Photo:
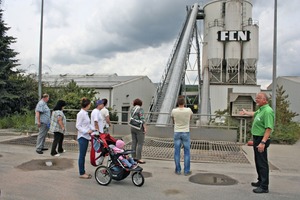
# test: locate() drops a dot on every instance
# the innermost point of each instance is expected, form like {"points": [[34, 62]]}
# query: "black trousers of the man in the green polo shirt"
{"points": [[261, 162]]}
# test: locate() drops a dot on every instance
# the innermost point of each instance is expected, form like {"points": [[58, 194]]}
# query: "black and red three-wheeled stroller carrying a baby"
{"points": [[116, 170]]}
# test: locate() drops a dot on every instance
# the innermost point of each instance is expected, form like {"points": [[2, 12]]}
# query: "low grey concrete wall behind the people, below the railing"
{"points": [[197, 133]]}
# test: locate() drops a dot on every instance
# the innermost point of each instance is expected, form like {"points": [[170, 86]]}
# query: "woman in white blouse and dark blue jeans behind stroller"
{"points": [[83, 125]]}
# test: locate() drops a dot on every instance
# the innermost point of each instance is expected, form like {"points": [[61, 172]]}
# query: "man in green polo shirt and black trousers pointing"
{"points": [[262, 126]]}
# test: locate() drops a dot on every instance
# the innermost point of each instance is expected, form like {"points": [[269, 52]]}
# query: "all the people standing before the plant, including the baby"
{"points": [[262, 127]]}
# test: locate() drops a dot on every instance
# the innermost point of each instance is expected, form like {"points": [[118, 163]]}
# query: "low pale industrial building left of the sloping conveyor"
{"points": [[119, 90]]}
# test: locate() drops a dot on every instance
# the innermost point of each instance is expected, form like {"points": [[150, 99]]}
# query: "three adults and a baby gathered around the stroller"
{"points": [[99, 121]]}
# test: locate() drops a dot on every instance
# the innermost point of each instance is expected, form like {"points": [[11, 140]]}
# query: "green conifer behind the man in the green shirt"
{"points": [[286, 131]]}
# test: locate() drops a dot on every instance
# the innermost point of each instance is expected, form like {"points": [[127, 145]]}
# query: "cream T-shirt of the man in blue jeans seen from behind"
{"points": [[182, 117]]}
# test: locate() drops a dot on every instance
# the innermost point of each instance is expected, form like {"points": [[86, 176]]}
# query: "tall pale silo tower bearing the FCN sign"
{"points": [[230, 52]]}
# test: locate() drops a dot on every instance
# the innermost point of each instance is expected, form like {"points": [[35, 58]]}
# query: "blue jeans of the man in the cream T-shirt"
{"points": [[182, 138]]}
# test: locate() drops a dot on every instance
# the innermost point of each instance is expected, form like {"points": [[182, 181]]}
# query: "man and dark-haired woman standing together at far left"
{"points": [[55, 123]]}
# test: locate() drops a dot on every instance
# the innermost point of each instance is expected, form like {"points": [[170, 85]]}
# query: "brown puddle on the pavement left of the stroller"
{"points": [[47, 164]]}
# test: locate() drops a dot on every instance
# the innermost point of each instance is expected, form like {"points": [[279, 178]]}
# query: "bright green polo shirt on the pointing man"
{"points": [[263, 119]]}
